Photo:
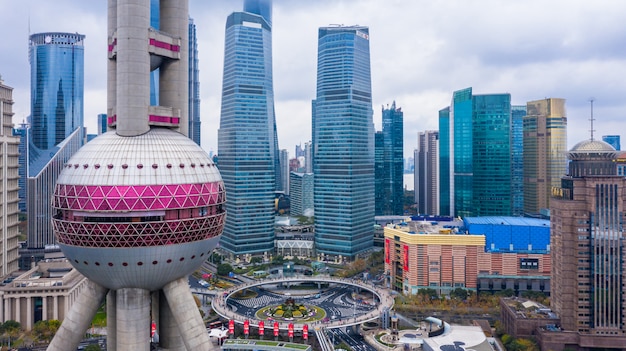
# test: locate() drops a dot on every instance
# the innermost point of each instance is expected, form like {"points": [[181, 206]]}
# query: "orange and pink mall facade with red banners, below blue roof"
{"points": [[418, 256]]}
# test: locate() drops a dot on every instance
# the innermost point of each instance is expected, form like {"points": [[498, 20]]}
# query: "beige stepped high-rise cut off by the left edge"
{"points": [[9, 144]]}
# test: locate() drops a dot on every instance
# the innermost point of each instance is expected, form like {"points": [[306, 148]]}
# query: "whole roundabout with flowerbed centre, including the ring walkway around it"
{"points": [[329, 303]]}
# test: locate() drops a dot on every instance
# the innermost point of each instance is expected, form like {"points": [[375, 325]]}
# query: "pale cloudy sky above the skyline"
{"points": [[421, 51]]}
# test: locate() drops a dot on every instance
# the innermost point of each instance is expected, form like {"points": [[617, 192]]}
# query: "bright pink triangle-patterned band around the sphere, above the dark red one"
{"points": [[137, 198]]}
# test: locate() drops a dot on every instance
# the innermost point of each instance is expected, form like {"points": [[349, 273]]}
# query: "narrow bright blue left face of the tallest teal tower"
{"points": [[462, 145]]}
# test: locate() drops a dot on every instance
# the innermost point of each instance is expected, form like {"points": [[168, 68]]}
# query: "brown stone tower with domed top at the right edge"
{"points": [[588, 253]]}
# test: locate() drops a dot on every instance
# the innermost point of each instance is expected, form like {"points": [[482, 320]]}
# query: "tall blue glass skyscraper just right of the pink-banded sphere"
{"points": [[247, 141]]}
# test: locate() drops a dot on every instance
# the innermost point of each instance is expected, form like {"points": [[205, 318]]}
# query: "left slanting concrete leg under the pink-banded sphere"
{"points": [[79, 318]]}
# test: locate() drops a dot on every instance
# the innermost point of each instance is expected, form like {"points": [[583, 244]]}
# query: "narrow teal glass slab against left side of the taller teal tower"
{"points": [[445, 165]]}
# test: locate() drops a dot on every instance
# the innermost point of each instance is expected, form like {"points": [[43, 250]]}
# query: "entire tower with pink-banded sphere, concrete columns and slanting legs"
{"points": [[139, 208]]}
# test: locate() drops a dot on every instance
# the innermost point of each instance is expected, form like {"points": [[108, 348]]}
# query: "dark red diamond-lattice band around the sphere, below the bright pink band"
{"points": [[115, 235]]}
